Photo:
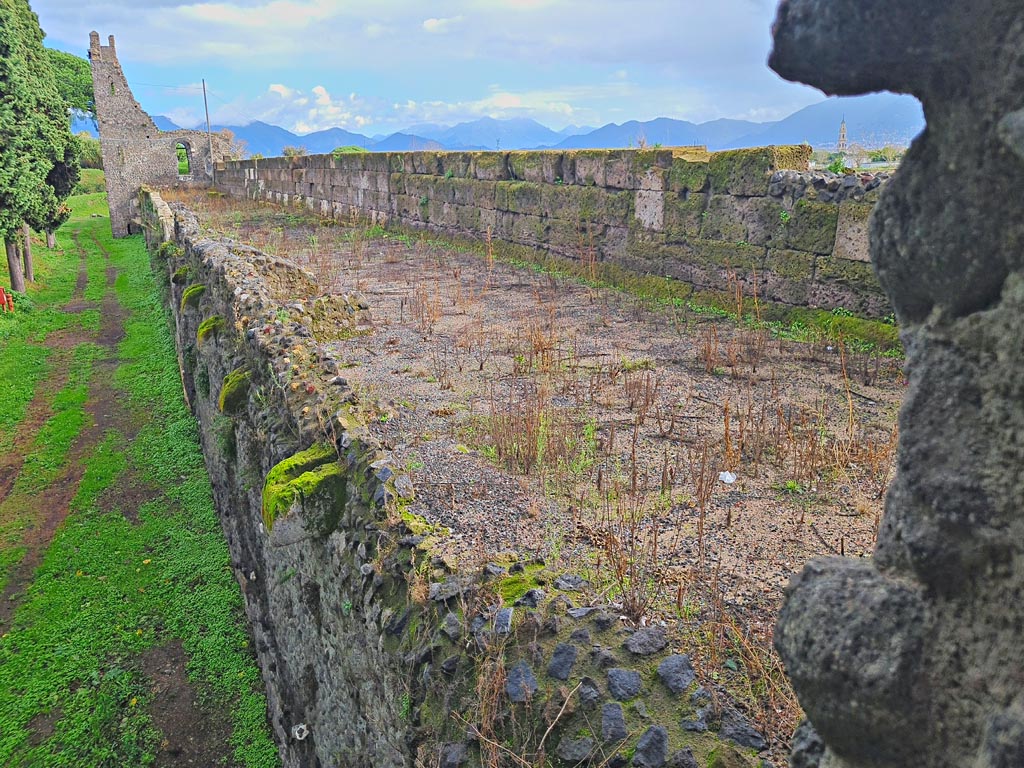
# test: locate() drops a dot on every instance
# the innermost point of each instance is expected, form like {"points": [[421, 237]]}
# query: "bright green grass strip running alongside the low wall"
{"points": [[109, 590]]}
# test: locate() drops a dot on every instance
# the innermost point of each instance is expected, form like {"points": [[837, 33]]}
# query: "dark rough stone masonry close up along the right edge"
{"points": [[915, 659]]}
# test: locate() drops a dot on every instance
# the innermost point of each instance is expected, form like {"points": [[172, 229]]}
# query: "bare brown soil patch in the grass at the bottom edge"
{"points": [[194, 734]]}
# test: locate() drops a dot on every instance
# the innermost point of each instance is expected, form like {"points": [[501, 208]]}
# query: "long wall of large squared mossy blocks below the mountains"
{"points": [[756, 217]]}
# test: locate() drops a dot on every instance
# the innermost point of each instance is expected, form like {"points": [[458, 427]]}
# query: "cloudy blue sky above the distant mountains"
{"points": [[381, 66]]}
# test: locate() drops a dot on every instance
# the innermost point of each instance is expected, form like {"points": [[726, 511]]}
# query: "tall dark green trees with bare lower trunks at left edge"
{"points": [[39, 156]]}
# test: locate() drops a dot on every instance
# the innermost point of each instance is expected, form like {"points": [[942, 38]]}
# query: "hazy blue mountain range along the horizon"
{"points": [[874, 120]]}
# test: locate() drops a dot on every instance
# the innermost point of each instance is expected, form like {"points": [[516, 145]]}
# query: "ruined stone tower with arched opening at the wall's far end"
{"points": [[136, 152]]}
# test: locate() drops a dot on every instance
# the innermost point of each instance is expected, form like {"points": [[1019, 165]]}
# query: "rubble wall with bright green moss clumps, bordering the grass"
{"points": [[374, 652]]}
